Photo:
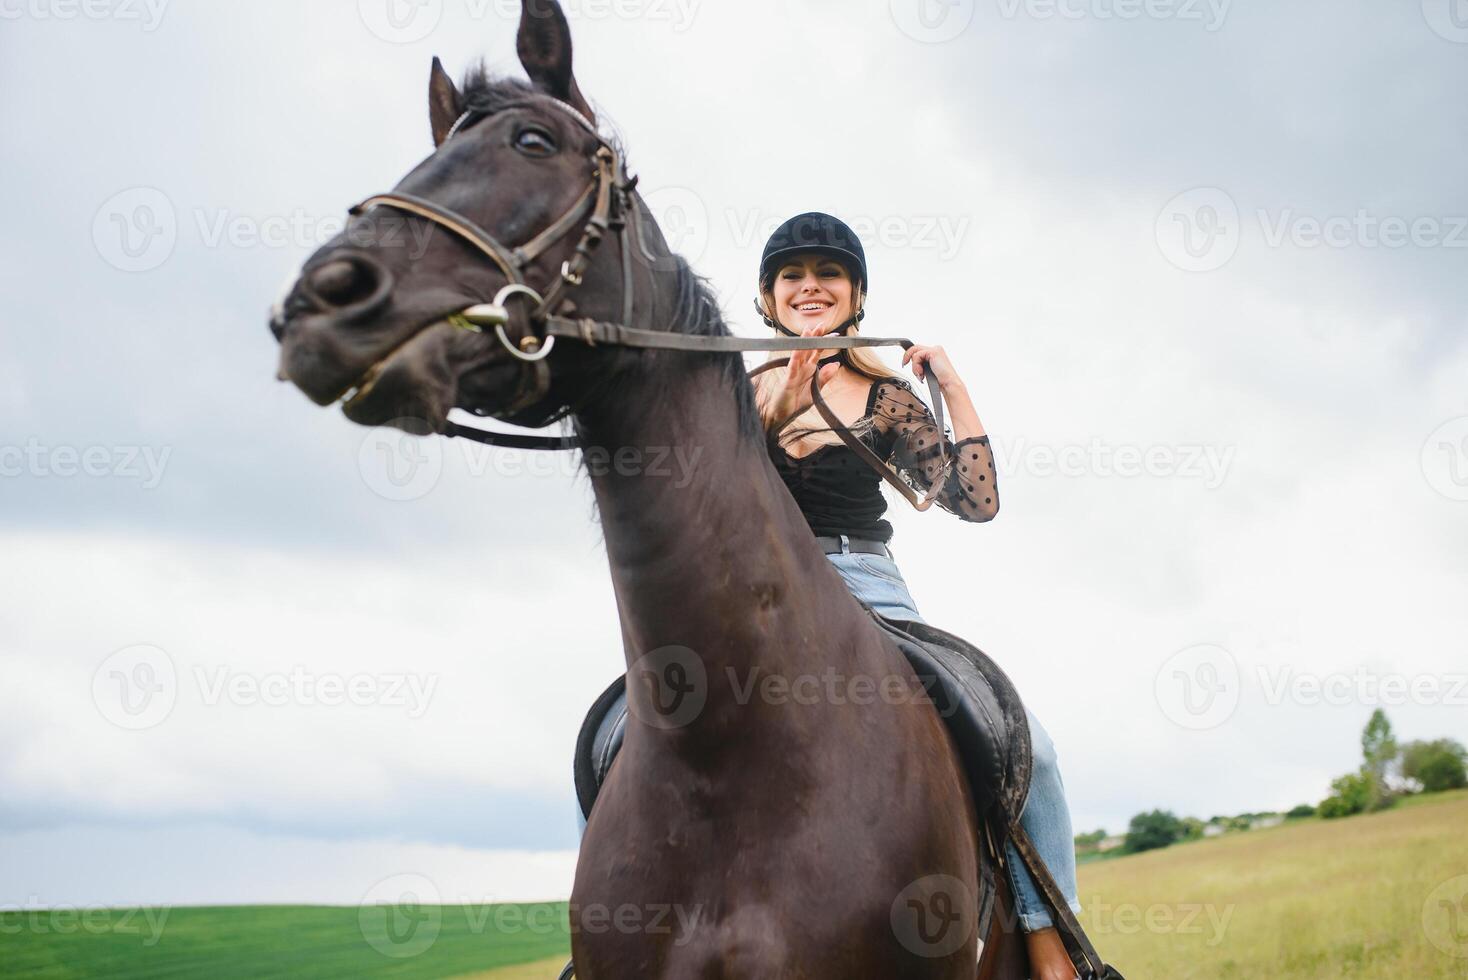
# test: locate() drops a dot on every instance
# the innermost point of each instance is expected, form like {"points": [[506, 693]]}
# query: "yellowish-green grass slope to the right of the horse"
{"points": [[1360, 897]]}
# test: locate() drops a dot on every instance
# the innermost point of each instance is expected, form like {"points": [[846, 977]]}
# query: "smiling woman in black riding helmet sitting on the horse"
{"points": [[814, 284]]}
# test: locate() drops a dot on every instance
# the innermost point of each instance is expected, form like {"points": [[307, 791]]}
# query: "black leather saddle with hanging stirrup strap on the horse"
{"points": [[987, 720]]}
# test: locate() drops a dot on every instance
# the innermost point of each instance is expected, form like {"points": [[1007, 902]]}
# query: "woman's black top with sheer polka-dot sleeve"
{"points": [[842, 495]]}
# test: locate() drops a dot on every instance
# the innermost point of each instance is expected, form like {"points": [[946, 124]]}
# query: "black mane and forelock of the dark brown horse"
{"points": [[695, 304]]}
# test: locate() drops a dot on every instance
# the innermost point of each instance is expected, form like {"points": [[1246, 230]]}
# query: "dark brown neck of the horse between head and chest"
{"points": [[708, 551]]}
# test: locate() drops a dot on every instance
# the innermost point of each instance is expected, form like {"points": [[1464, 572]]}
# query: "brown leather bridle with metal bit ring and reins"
{"points": [[610, 196]]}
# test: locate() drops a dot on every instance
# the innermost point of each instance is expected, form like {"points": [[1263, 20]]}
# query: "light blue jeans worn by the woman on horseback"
{"points": [[877, 582]]}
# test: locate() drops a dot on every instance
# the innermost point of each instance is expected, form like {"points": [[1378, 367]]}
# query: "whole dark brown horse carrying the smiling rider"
{"points": [[751, 831]]}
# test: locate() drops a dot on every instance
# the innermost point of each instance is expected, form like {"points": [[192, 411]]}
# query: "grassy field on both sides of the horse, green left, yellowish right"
{"points": [[1382, 896]]}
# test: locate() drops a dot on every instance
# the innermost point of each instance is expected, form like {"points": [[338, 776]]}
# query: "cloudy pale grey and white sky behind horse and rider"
{"points": [[1200, 263]]}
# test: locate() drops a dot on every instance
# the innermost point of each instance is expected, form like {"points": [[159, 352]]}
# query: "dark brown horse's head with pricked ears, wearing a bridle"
{"points": [[512, 206]]}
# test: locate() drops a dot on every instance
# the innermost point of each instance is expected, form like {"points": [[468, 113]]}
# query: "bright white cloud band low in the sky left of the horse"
{"points": [[453, 689]]}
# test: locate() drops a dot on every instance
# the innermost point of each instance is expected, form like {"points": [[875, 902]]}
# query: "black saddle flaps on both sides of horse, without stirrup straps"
{"points": [[971, 693]]}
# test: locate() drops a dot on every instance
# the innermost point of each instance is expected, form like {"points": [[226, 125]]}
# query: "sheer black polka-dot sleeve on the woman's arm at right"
{"points": [[905, 422]]}
